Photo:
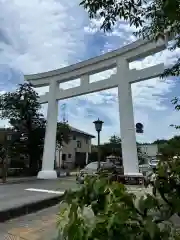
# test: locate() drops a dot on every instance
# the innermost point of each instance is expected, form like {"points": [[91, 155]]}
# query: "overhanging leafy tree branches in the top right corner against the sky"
{"points": [[154, 19]]}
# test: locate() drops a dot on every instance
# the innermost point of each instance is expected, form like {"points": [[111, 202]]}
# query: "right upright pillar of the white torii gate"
{"points": [[126, 116]]}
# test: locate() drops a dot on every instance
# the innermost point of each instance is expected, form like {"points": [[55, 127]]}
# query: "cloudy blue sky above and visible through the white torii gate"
{"points": [[37, 36]]}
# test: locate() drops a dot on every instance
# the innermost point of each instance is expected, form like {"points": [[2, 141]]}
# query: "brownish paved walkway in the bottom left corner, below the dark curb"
{"points": [[38, 226]]}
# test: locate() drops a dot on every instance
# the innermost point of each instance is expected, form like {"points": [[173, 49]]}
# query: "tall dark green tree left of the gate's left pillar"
{"points": [[21, 108]]}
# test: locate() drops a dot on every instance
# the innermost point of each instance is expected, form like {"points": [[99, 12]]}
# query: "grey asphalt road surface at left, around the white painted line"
{"points": [[12, 195]]}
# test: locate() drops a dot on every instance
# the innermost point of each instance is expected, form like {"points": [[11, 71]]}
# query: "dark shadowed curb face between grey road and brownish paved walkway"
{"points": [[29, 208]]}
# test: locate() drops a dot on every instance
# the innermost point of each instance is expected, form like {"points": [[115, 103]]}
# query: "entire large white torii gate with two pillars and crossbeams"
{"points": [[123, 79]]}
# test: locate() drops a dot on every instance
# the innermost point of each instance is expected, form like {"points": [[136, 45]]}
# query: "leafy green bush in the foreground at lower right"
{"points": [[103, 209]]}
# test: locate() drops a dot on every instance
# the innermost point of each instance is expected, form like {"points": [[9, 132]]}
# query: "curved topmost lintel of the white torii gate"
{"points": [[134, 51]]}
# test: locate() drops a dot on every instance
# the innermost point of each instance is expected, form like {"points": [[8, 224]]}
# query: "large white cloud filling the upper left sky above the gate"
{"points": [[43, 35]]}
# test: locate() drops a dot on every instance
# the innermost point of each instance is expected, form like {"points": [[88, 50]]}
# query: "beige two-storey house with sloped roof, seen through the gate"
{"points": [[75, 153]]}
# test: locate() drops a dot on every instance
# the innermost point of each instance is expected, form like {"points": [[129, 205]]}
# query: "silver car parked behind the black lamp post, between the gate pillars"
{"points": [[91, 169]]}
